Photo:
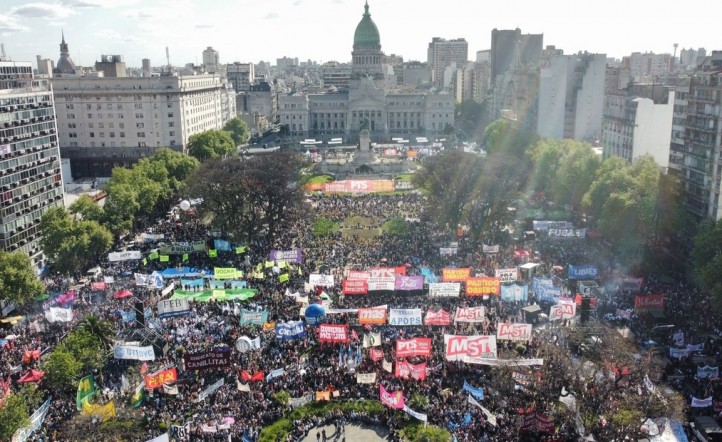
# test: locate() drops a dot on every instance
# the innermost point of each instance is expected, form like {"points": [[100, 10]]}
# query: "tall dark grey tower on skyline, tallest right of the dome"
{"points": [[509, 48]]}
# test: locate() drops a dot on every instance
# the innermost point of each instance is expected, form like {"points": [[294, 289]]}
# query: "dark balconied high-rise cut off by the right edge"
{"points": [[701, 171]]}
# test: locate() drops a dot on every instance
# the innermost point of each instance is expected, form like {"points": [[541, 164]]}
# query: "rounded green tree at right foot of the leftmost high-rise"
{"points": [[72, 245]]}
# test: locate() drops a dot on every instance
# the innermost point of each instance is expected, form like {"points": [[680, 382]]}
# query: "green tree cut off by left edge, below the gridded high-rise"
{"points": [[18, 281]]}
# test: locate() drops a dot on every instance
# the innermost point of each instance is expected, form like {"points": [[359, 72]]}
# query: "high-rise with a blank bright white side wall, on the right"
{"points": [[638, 121]]}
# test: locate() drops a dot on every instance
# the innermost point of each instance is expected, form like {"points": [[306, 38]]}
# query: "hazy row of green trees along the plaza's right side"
{"points": [[634, 205]]}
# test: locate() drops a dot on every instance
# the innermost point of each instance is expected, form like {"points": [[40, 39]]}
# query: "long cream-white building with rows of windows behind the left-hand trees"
{"points": [[108, 122]]}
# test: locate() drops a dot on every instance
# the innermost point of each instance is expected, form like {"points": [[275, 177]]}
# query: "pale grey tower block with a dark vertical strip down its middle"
{"points": [[571, 97]]}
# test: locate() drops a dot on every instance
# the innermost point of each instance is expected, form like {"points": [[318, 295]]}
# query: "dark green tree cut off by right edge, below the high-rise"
{"points": [[707, 259]]}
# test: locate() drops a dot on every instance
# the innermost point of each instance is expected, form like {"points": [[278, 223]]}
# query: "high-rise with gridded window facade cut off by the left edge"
{"points": [[30, 171]]}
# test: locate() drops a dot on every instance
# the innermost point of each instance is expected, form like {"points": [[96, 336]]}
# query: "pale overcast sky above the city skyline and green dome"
{"points": [[322, 30]]}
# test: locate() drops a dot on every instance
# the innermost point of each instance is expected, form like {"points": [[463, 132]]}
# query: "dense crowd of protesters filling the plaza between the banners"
{"points": [[240, 408]]}
